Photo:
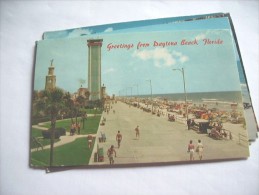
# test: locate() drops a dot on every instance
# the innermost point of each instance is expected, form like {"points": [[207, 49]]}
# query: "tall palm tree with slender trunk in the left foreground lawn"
{"points": [[52, 103]]}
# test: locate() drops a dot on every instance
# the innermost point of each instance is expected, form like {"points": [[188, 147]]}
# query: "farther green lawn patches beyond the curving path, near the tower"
{"points": [[91, 124]]}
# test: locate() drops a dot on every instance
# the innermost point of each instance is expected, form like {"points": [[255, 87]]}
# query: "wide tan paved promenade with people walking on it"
{"points": [[160, 140]]}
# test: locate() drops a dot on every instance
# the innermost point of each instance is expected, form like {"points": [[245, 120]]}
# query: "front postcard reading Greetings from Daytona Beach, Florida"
{"points": [[137, 99]]}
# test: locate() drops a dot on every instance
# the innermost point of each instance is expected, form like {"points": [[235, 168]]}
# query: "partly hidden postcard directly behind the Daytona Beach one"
{"points": [[197, 22]]}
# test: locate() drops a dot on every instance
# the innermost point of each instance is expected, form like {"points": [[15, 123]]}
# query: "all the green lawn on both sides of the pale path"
{"points": [[75, 153]]}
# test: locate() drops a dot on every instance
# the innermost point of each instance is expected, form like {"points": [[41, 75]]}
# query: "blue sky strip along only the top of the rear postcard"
{"points": [[159, 23]]}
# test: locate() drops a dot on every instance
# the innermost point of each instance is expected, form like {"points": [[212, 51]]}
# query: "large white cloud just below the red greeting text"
{"points": [[161, 57]]}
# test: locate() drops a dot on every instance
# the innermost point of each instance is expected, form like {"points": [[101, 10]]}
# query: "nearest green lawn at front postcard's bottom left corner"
{"points": [[75, 153]]}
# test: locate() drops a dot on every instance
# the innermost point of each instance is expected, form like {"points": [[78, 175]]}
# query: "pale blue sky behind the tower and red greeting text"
{"points": [[125, 71]]}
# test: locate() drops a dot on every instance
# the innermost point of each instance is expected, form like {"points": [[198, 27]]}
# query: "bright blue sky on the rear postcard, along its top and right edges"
{"points": [[162, 24]]}
